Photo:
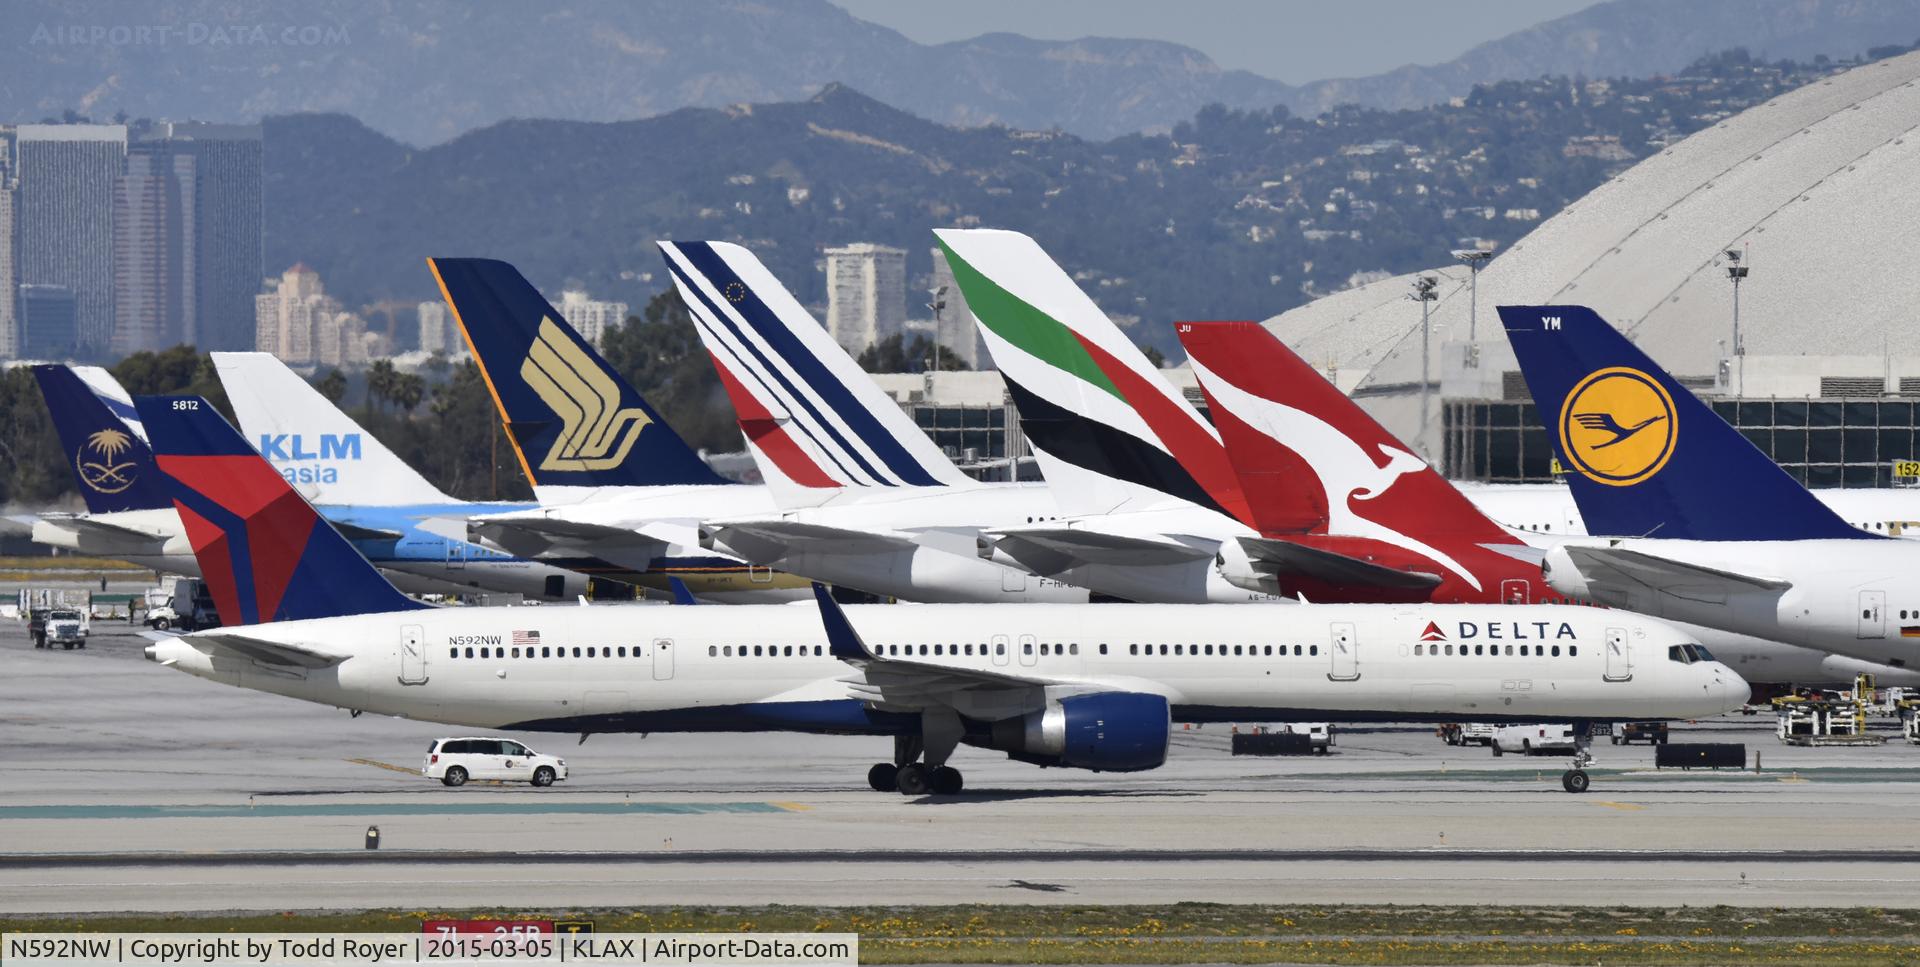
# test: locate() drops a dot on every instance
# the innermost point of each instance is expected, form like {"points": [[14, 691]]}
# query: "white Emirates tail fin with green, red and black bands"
{"points": [[1113, 435]]}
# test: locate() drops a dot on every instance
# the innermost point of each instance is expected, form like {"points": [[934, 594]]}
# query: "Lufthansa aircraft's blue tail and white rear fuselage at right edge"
{"points": [[1717, 534]]}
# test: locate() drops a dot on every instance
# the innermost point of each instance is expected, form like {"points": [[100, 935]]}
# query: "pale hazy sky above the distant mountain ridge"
{"points": [[1289, 41]]}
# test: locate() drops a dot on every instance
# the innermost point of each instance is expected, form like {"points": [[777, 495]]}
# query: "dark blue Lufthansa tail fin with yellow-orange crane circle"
{"points": [[1644, 456]]}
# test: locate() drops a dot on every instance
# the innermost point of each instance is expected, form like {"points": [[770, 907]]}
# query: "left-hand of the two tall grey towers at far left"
{"points": [[64, 218]]}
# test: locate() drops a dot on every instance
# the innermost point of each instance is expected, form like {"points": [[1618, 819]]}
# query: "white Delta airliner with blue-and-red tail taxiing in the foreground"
{"points": [[1078, 686]]}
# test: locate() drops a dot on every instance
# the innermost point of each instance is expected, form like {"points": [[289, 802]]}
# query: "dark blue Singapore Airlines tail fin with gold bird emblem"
{"points": [[571, 417]]}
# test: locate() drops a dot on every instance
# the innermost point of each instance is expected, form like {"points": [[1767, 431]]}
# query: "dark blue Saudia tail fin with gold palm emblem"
{"points": [[110, 461]]}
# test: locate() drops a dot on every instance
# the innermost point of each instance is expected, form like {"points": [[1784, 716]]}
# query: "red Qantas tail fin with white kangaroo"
{"points": [[1308, 458]]}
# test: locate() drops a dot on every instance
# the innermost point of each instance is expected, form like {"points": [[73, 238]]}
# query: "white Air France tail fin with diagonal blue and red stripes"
{"points": [[811, 415]]}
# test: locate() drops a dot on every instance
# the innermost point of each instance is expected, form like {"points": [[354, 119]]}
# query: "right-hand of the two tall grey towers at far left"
{"points": [[189, 237]]}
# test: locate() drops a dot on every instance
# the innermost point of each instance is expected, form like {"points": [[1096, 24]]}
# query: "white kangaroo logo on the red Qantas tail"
{"points": [[1343, 467]]}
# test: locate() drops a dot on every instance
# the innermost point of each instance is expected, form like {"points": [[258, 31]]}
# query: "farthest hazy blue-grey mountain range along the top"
{"points": [[429, 70]]}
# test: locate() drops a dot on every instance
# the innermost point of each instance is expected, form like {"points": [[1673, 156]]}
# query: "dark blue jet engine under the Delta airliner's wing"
{"points": [[1105, 732]]}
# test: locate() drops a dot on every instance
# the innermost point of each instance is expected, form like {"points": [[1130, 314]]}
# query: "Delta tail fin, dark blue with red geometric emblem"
{"points": [[262, 550]]}
